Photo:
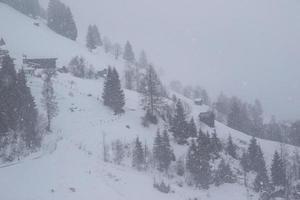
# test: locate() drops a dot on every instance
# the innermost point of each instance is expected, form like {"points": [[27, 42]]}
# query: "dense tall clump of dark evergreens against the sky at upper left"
{"points": [[60, 19]]}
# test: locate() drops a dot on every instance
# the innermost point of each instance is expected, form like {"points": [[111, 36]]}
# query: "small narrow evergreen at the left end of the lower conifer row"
{"points": [[138, 159]]}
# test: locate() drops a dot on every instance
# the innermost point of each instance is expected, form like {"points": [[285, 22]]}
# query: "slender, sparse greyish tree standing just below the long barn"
{"points": [[49, 100]]}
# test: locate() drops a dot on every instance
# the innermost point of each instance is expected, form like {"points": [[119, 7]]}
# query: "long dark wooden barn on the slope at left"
{"points": [[40, 63]]}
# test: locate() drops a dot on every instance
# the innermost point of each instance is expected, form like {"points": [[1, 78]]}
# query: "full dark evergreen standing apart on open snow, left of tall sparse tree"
{"points": [[113, 95]]}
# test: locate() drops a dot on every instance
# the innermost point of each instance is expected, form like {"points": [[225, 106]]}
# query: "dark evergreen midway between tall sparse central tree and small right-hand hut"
{"points": [[179, 126]]}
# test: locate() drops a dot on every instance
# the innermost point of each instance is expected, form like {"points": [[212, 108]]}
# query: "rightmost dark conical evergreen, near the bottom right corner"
{"points": [[278, 171]]}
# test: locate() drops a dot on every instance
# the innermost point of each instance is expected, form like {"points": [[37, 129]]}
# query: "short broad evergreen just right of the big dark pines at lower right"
{"points": [[223, 174]]}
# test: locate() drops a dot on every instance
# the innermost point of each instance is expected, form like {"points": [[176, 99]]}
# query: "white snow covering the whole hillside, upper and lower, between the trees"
{"points": [[70, 164]]}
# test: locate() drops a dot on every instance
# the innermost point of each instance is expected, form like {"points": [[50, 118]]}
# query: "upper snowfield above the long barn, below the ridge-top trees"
{"points": [[25, 38]]}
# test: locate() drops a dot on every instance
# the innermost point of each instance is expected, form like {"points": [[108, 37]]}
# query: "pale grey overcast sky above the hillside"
{"points": [[248, 48]]}
